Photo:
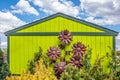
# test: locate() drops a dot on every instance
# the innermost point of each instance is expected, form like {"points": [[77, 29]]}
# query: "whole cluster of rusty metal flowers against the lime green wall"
{"points": [[54, 53]]}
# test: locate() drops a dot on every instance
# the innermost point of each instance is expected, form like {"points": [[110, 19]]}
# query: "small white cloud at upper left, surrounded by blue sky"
{"points": [[23, 6]]}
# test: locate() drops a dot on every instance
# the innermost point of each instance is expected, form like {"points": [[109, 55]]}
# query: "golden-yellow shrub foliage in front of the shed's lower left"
{"points": [[40, 73]]}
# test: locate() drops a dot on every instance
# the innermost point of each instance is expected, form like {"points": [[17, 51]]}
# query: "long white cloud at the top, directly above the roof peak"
{"points": [[53, 6]]}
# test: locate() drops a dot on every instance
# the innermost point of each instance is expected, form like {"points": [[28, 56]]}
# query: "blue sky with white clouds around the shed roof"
{"points": [[14, 13]]}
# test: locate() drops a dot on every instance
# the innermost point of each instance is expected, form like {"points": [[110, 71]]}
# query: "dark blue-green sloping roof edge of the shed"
{"points": [[114, 33]]}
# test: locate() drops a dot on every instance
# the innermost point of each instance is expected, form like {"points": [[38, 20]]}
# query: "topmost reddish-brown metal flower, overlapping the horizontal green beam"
{"points": [[65, 37]]}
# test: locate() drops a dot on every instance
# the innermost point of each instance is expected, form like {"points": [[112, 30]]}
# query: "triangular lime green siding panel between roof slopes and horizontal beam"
{"points": [[59, 23]]}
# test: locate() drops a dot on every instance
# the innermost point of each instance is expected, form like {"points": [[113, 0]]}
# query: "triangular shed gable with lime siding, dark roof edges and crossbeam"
{"points": [[53, 24]]}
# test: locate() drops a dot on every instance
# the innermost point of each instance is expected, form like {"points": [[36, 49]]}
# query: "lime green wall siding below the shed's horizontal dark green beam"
{"points": [[22, 48]]}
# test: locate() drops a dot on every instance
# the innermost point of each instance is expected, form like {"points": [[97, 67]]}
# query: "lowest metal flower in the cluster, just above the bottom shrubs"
{"points": [[59, 68]]}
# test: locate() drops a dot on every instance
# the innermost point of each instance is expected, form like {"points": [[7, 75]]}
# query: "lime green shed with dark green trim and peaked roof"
{"points": [[24, 41]]}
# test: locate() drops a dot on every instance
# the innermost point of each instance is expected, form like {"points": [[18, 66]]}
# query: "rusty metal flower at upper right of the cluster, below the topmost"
{"points": [[79, 49]]}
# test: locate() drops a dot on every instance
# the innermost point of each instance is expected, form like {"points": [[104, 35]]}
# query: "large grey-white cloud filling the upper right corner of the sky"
{"points": [[108, 9]]}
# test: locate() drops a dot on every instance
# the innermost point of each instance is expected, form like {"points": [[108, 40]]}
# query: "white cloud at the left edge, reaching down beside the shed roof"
{"points": [[7, 22]]}
